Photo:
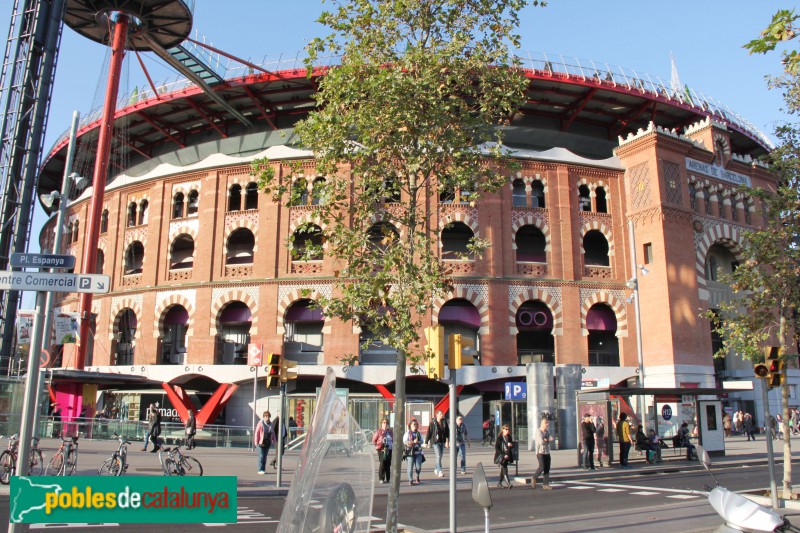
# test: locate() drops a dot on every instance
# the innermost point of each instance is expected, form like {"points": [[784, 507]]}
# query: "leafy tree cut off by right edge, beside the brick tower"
{"points": [[766, 286]]}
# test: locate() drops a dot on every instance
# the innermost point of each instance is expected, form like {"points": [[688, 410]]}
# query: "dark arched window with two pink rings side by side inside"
{"points": [[535, 342]]}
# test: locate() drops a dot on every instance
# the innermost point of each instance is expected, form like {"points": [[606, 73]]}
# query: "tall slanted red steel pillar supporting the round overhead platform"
{"points": [[101, 176]]}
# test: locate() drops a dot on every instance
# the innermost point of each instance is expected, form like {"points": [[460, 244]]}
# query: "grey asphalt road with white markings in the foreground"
{"points": [[622, 503]]}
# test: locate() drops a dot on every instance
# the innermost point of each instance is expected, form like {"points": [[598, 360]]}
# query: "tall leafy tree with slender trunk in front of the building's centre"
{"points": [[414, 108]]}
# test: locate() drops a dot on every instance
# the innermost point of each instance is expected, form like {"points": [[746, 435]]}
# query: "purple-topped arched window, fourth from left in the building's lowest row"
{"points": [[303, 340]]}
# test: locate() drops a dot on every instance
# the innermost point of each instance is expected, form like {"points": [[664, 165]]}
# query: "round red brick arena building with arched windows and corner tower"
{"points": [[199, 266]]}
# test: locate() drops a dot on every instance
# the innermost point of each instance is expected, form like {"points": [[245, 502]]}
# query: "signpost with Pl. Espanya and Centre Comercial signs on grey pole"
{"points": [[43, 283]]}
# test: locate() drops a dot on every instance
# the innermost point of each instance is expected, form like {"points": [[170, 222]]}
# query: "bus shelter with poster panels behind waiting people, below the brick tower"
{"points": [[666, 409]]}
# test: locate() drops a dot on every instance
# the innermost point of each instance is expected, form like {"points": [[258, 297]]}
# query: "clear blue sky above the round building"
{"points": [[705, 37]]}
